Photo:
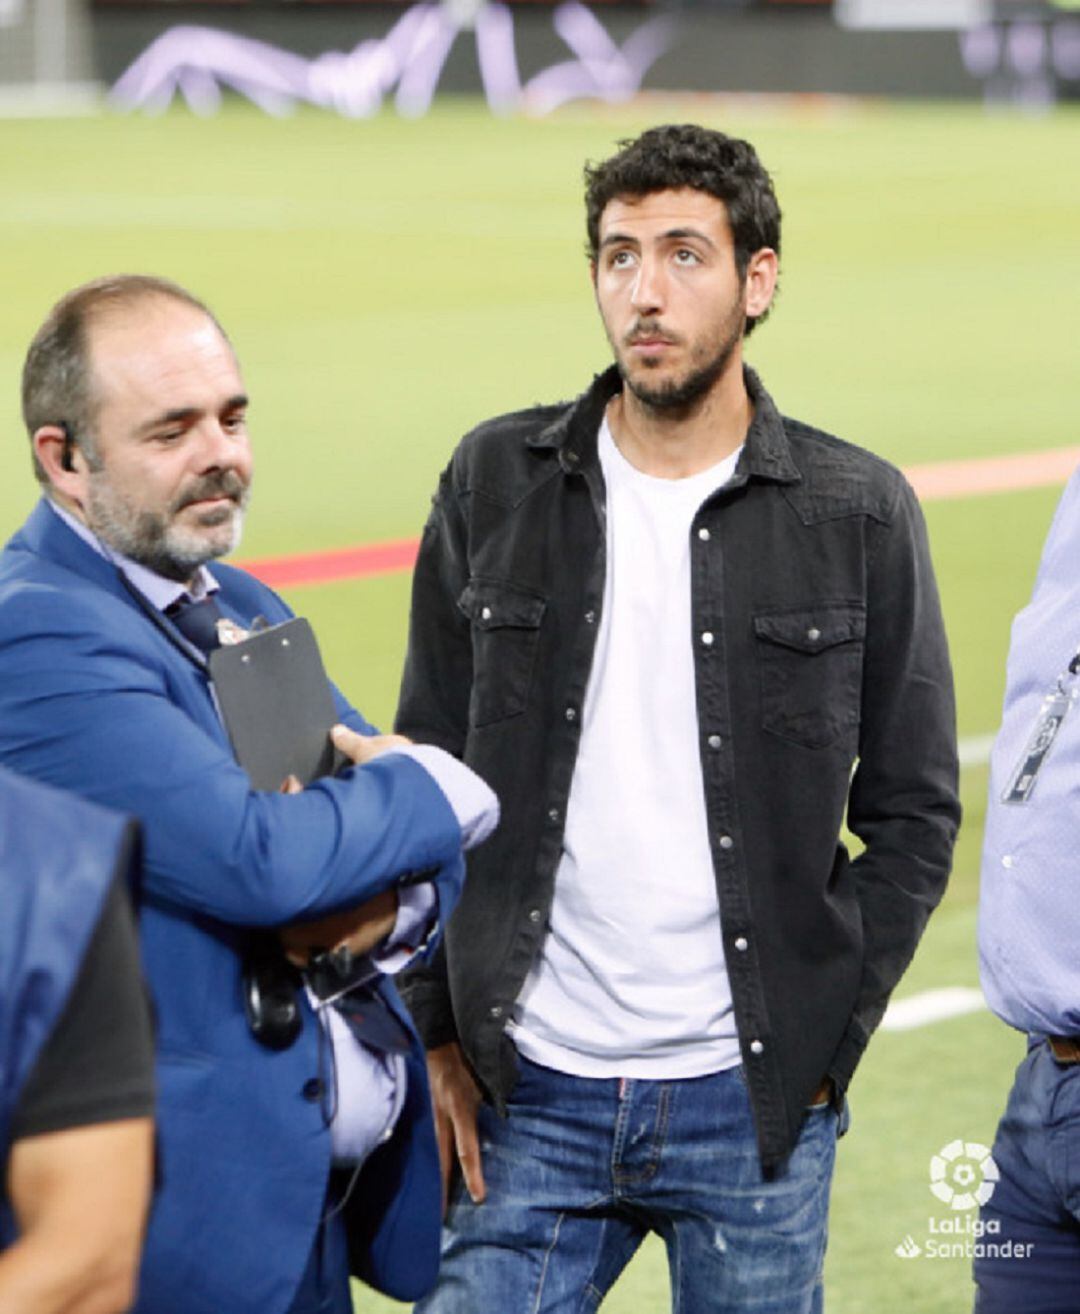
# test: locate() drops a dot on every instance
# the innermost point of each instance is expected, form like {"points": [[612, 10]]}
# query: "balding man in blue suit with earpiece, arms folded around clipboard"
{"points": [[284, 1158]]}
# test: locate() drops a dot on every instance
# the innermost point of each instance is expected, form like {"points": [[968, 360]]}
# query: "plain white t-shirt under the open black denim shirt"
{"points": [[633, 980]]}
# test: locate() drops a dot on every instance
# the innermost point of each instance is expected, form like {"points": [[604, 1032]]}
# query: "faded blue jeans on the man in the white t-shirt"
{"points": [[584, 1169]]}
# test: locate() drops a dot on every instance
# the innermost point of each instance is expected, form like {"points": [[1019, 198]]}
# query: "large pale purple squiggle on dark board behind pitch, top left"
{"points": [[196, 64]]}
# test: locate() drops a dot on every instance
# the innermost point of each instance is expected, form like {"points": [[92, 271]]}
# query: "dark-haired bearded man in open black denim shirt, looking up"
{"points": [[665, 623]]}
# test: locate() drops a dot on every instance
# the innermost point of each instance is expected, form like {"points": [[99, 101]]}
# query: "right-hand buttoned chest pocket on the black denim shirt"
{"points": [[811, 672]]}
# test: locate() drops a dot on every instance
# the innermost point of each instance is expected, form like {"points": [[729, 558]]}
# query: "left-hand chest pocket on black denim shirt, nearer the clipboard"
{"points": [[506, 634]]}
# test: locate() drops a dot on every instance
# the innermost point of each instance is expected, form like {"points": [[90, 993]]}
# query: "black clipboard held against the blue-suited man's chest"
{"points": [[277, 705]]}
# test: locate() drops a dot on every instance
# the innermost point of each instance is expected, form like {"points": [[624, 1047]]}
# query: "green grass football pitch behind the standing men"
{"points": [[390, 283]]}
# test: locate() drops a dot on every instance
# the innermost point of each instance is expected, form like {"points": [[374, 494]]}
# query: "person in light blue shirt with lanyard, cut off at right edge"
{"points": [[1029, 944]]}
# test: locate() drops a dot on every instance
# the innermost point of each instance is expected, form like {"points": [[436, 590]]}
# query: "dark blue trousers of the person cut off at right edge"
{"points": [[1036, 1204]]}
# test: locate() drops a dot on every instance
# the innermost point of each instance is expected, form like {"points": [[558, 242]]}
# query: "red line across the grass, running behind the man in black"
{"points": [[934, 483]]}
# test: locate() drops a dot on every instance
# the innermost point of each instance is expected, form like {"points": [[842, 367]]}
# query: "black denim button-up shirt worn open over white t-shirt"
{"points": [[819, 648]]}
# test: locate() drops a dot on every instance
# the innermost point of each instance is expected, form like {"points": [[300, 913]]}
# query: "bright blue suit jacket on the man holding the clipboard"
{"points": [[97, 700]]}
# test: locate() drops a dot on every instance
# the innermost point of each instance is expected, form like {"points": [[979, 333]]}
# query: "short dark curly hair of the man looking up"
{"points": [[677, 156]]}
